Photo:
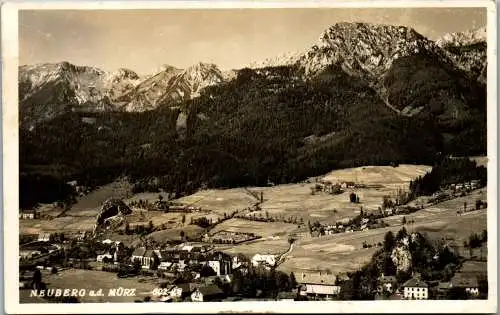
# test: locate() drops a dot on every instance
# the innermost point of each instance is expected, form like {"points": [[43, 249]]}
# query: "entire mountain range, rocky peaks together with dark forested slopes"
{"points": [[362, 94]]}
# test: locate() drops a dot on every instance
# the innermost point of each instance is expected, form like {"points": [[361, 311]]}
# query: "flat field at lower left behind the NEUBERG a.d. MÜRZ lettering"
{"points": [[72, 279]]}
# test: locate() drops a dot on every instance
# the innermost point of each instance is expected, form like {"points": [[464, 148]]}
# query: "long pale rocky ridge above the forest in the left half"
{"points": [[48, 90]]}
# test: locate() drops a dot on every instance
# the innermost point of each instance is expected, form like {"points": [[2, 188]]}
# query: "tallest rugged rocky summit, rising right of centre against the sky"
{"points": [[363, 48]]}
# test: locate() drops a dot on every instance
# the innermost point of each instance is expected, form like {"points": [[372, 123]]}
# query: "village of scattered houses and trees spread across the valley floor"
{"points": [[215, 264]]}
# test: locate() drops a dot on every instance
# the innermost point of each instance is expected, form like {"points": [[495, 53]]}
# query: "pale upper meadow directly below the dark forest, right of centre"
{"points": [[296, 200]]}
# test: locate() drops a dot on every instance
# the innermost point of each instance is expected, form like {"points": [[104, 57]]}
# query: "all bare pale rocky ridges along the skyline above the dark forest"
{"points": [[363, 50]]}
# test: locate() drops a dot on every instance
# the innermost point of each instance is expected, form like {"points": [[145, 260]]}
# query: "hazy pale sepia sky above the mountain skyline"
{"points": [[144, 40]]}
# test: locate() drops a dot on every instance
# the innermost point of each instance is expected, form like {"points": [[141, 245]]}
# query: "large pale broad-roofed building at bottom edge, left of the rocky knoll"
{"points": [[318, 285]]}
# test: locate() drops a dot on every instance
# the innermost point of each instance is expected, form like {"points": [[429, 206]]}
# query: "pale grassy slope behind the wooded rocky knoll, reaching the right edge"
{"points": [[344, 252]]}
